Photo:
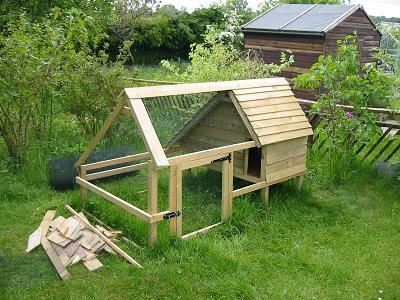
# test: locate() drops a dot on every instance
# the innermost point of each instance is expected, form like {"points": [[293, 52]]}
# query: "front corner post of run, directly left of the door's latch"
{"points": [[152, 202]]}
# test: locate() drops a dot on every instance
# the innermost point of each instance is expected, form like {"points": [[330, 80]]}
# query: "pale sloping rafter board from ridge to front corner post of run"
{"points": [[149, 135]]}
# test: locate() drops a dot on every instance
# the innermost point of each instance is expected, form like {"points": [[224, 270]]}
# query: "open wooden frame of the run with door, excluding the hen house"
{"points": [[131, 103]]}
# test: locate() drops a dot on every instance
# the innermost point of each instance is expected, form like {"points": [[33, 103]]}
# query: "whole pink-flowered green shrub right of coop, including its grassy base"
{"points": [[336, 80]]}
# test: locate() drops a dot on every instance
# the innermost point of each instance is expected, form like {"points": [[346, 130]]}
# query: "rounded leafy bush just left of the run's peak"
{"points": [[90, 88]]}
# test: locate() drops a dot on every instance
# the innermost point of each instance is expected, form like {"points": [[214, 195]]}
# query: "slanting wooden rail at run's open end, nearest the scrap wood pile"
{"points": [[114, 199]]}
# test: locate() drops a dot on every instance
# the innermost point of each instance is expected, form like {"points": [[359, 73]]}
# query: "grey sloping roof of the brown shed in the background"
{"points": [[311, 19]]}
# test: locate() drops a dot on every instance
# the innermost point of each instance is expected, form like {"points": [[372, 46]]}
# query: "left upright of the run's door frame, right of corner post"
{"points": [[175, 199]]}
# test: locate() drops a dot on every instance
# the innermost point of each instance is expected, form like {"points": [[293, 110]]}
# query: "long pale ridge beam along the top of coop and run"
{"points": [[204, 87]]}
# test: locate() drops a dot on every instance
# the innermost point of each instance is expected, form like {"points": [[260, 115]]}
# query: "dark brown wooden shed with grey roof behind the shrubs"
{"points": [[309, 30]]}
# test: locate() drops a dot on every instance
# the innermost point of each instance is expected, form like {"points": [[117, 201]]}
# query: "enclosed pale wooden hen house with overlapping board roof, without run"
{"points": [[268, 114]]}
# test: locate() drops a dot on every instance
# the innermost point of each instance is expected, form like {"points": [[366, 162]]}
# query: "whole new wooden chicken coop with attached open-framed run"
{"points": [[250, 129]]}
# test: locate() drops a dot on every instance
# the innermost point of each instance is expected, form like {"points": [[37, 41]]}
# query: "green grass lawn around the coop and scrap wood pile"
{"points": [[340, 243]]}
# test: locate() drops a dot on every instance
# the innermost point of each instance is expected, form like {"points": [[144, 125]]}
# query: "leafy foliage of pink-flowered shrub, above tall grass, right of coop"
{"points": [[342, 79]]}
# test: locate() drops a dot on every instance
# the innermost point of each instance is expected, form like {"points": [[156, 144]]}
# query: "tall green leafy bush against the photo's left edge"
{"points": [[29, 61]]}
